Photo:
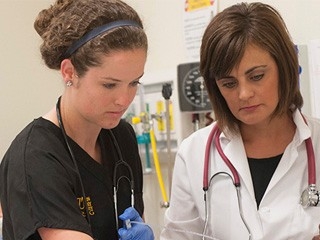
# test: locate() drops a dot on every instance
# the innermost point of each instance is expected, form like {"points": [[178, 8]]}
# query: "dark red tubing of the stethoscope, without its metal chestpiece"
{"points": [[214, 137]]}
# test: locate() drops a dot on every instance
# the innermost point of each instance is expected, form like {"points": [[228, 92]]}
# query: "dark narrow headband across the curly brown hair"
{"points": [[97, 31]]}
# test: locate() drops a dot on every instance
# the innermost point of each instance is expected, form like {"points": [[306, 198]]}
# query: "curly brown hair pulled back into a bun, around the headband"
{"points": [[66, 21]]}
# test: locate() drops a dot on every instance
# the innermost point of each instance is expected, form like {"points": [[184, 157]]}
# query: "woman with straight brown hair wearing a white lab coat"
{"points": [[251, 71]]}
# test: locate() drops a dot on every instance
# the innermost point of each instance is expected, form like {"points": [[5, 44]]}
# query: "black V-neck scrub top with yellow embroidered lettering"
{"points": [[40, 187]]}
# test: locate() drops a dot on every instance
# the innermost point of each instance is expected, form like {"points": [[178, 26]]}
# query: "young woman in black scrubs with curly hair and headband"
{"points": [[75, 173]]}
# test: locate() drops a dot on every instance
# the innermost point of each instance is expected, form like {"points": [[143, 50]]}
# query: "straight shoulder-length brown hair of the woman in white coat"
{"points": [[223, 45]]}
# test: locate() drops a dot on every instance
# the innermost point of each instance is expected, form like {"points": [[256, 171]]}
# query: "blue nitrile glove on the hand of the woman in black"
{"points": [[137, 231]]}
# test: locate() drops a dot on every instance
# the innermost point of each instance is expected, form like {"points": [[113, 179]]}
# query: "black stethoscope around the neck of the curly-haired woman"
{"points": [[118, 163]]}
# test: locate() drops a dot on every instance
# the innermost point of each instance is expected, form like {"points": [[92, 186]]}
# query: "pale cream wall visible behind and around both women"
{"points": [[28, 89]]}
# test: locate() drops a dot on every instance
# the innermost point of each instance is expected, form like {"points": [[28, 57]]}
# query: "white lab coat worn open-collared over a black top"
{"points": [[280, 216]]}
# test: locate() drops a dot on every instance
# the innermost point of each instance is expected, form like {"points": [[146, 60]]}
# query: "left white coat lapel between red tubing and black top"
{"points": [[234, 150]]}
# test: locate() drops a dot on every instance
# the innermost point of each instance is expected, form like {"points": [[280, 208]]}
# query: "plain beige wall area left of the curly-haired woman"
{"points": [[27, 88]]}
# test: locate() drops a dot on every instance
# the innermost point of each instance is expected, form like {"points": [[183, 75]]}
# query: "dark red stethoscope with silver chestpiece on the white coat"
{"points": [[309, 197]]}
